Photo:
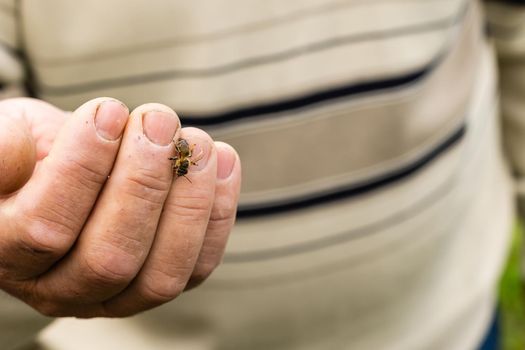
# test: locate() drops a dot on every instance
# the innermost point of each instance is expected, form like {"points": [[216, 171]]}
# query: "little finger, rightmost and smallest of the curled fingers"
{"points": [[222, 215]]}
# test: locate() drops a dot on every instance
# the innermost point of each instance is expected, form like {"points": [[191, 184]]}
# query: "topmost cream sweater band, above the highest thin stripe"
{"points": [[181, 22]]}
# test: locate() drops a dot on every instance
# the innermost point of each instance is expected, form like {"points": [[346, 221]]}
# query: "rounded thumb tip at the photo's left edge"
{"points": [[17, 154]]}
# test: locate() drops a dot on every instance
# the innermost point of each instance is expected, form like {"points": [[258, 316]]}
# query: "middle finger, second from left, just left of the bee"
{"points": [[117, 237]]}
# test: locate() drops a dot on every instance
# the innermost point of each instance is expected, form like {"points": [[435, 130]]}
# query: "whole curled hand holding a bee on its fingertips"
{"points": [[101, 228]]}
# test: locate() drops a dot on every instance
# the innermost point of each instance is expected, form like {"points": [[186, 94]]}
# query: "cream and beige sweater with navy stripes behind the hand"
{"points": [[376, 202]]}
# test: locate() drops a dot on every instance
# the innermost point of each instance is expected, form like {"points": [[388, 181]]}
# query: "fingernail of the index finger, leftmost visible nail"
{"points": [[111, 119]]}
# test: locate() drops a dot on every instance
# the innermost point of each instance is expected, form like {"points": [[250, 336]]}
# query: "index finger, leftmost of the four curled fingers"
{"points": [[46, 215]]}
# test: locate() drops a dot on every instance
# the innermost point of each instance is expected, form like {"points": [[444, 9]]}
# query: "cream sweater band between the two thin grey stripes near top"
{"points": [[346, 24]]}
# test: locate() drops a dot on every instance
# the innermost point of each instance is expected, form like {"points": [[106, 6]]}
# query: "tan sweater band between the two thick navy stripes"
{"points": [[344, 143]]}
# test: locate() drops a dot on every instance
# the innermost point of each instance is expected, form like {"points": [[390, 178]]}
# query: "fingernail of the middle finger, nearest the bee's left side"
{"points": [[160, 127]]}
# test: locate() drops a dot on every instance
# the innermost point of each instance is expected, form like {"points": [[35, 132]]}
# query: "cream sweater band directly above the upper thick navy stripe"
{"points": [[220, 93]]}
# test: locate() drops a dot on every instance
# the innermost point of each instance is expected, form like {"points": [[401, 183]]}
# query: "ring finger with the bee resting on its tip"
{"points": [[179, 236]]}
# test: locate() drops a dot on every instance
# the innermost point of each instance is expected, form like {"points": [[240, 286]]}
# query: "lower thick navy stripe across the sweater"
{"points": [[272, 208]]}
